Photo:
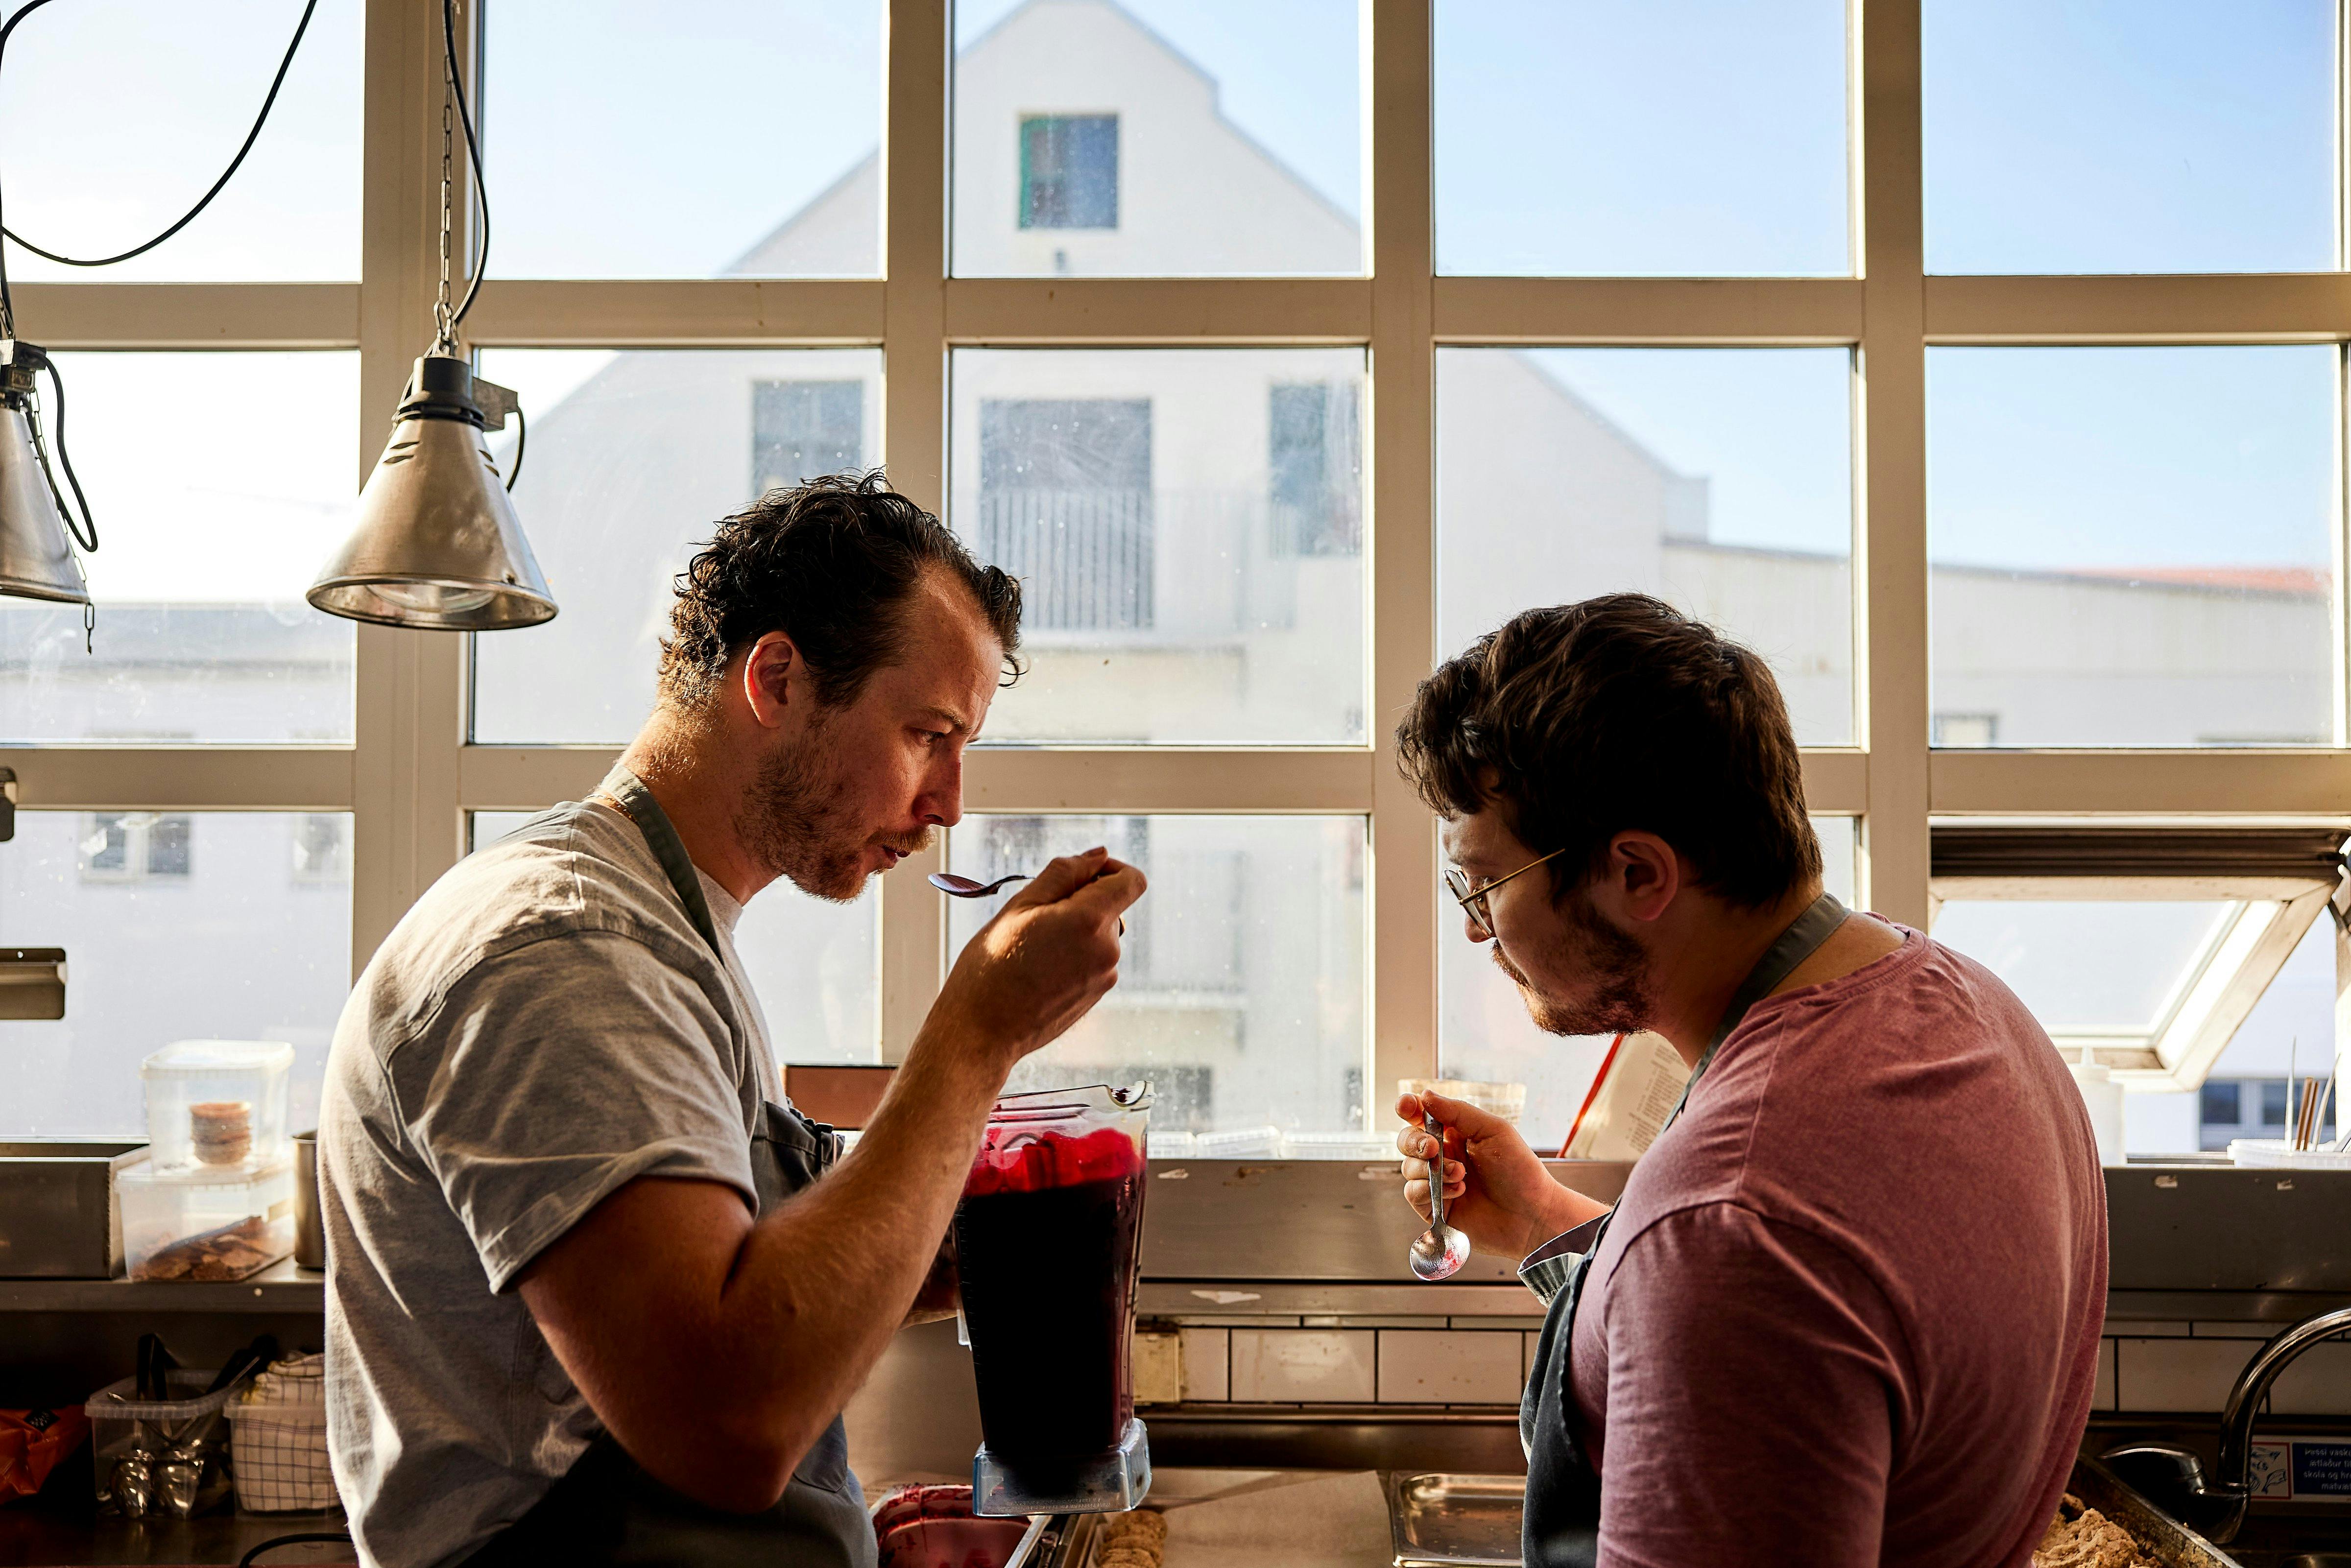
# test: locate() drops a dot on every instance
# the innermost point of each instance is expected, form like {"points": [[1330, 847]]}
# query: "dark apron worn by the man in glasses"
{"points": [[1562, 1489]]}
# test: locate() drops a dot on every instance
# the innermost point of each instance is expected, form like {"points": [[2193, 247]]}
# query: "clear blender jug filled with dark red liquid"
{"points": [[1047, 1245]]}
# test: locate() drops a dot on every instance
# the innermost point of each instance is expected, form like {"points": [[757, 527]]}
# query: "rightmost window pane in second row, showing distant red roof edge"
{"points": [[2134, 547]]}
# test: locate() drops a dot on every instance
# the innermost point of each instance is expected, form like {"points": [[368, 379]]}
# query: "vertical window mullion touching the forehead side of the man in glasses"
{"points": [[1402, 547]]}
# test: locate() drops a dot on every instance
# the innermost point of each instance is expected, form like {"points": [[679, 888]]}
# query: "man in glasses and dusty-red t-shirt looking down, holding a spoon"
{"points": [[1849, 1304]]}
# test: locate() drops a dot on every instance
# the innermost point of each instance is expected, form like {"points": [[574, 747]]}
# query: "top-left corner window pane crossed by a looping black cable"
{"points": [[121, 114]]}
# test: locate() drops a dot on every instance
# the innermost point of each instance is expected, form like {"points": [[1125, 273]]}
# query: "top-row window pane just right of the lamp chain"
{"points": [[737, 138]]}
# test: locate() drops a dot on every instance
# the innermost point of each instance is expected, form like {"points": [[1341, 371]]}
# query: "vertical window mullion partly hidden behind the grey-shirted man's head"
{"points": [[916, 427]]}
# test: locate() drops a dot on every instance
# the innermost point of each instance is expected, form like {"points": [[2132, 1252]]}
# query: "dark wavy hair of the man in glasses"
{"points": [[1619, 713]]}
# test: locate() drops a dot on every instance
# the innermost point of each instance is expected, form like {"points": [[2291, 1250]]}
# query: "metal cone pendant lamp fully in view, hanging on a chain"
{"points": [[438, 544]]}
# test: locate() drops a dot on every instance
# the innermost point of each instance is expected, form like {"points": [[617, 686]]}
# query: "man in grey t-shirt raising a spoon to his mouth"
{"points": [[589, 1299]]}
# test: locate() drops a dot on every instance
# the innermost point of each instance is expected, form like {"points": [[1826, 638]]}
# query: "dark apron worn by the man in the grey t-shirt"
{"points": [[608, 1510]]}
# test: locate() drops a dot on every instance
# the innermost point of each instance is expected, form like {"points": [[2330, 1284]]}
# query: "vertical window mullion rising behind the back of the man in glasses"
{"points": [[1891, 688]]}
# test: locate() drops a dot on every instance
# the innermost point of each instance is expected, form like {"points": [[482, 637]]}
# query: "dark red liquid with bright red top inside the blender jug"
{"points": [[1045, 1245]]}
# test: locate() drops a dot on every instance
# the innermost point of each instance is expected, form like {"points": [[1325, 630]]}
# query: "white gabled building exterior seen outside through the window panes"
{"points": [[1193, 532]]}
